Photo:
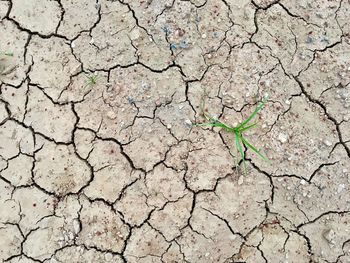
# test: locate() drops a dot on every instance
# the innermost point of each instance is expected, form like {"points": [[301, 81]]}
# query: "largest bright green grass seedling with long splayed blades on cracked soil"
{"points": [[238, 131]]}
